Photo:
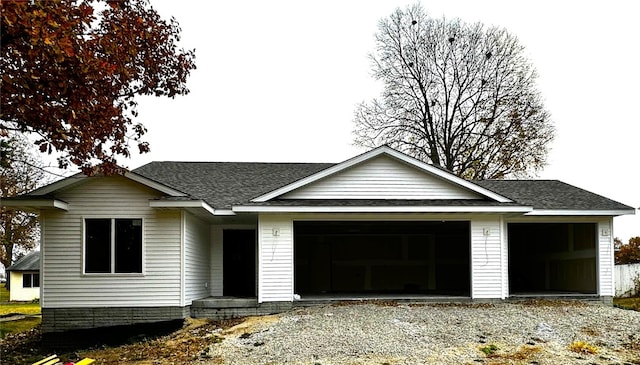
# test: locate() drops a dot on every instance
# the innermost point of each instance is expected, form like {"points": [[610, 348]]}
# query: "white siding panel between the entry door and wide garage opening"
{"points": [[275, 257]]}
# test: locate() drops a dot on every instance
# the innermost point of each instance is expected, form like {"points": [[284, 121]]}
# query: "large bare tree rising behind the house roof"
{"points": [[457, 95]]}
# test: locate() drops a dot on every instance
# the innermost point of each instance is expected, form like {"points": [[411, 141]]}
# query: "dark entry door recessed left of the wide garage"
{"points": [[239, 260]]}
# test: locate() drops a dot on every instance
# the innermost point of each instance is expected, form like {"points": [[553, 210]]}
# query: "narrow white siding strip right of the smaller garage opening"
{"points": [[606, 285]]}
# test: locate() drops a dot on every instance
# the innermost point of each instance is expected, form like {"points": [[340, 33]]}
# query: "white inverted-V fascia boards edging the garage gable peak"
{"points": [[371, 154]]}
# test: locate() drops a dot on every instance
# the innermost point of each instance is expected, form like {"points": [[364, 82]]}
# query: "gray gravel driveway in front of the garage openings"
{"points": [[511, 333]]}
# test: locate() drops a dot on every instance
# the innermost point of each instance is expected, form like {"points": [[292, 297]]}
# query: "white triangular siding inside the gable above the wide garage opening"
{"points": [[381, 178]]}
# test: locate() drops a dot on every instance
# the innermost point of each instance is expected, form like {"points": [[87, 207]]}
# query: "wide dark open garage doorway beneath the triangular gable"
{"points": [[382, 257]]}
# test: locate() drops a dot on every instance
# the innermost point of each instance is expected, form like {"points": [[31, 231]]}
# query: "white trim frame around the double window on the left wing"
{"points": [[112, 247]]}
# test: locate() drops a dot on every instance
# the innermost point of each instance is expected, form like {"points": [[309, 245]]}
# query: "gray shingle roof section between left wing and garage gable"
{"points": [[223, 184]]}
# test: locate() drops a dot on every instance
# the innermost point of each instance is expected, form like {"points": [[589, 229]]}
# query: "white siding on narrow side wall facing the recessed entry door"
{"points": [[196, 265]]}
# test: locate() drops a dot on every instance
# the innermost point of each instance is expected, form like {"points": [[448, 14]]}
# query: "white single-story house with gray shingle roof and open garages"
{"points": [[173, 239]]}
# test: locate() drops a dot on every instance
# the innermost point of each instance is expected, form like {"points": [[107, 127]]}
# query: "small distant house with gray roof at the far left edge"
{"points": [[24, 278]]}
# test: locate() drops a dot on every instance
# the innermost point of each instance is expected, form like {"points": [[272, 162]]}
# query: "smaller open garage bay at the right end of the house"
{"points": [[552, 258]]}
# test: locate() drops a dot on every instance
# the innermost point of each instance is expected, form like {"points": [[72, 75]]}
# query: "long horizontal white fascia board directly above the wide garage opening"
{"points": [[379, 209]]}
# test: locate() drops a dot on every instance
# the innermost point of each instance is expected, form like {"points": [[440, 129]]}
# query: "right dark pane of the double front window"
{"points": [[128, 245]]}
